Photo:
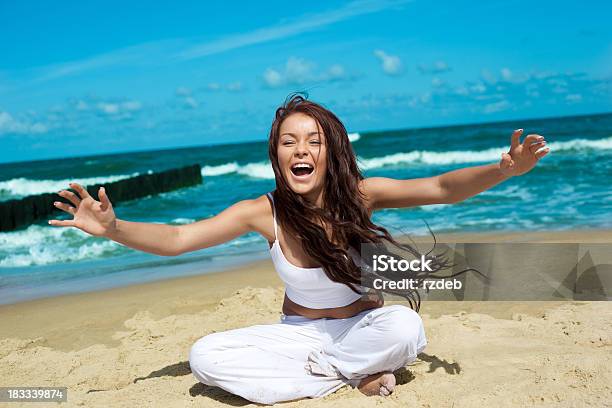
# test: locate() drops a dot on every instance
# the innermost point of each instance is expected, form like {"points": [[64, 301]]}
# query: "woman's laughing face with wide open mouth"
{"points": [[302, 155]]}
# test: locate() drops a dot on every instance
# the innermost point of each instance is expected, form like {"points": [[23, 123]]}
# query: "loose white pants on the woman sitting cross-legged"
{"points": [[301, 357]]}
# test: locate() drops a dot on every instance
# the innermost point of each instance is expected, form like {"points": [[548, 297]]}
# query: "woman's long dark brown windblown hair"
{"points": [[343, 208]]}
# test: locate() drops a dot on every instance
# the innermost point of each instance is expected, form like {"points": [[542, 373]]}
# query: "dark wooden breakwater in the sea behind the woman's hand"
{"points": [[15, 214]]}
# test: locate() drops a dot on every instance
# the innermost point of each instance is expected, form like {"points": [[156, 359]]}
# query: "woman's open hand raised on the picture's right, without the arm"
{"points": [[522, 157]]}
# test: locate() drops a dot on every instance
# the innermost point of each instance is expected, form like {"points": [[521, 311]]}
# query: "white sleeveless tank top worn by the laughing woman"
{"points": [[310, 287]]}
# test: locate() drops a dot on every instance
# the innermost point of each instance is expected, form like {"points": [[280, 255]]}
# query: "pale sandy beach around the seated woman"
{"points": [[129, 346]]}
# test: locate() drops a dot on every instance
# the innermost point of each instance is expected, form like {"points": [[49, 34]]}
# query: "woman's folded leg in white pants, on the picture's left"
{"points": [[263, 363]]}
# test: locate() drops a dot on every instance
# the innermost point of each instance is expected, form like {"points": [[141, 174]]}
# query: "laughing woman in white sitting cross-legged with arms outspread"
{"points": [[329, 334]]}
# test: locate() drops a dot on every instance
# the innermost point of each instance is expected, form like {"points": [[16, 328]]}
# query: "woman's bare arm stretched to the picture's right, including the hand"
{"points": [[456, 185]]}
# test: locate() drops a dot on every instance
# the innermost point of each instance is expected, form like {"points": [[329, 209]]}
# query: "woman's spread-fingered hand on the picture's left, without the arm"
{"points": [[94, 217]]}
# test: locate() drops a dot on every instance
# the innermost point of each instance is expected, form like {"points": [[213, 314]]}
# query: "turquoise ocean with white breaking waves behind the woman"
{"points": [[570, 188]]}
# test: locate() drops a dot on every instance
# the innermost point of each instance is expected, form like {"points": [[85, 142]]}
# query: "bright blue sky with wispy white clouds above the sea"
{"points": [[80, 78]]}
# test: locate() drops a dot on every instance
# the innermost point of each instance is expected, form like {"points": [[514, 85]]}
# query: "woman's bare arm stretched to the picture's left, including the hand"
{"points": [[98, 218]]}
